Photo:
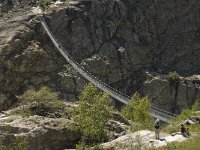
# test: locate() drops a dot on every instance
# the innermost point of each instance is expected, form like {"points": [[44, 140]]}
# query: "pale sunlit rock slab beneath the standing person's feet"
{"points": [[143, 139]]}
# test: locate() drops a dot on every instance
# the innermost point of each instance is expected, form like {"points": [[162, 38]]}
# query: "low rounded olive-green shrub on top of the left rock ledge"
{"points": [[41, 102]]}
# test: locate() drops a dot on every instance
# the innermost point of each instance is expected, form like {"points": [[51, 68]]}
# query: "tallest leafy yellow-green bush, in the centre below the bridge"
{"points": [[92, 114]]}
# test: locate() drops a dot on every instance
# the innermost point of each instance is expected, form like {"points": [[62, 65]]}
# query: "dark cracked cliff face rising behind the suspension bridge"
{"points": [[117, 41]]}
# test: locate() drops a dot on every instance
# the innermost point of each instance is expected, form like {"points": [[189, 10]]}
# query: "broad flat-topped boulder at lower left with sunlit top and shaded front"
{"points": [[40, 132]]}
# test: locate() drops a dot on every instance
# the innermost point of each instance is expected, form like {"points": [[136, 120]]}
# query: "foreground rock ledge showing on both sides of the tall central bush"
{"points": [[50, 130]]}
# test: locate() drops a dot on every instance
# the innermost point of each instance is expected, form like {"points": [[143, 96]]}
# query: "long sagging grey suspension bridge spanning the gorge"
{"points": [[163, 115]]}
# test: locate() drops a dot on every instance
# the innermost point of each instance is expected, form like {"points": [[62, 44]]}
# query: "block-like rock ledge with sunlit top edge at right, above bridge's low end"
{"points": [[172, 98]]}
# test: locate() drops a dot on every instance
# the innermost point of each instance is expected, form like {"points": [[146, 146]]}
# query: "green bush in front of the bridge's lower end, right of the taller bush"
{"points": [[137, 110]]}
